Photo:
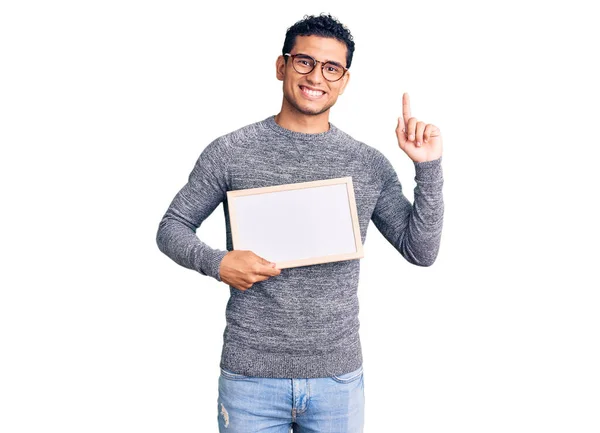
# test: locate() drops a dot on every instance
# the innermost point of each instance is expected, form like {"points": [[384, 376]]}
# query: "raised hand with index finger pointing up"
{"points": [[421, 142]]}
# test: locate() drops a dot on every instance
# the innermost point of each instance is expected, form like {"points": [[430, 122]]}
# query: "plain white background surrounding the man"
{"points": [[105, 107]]}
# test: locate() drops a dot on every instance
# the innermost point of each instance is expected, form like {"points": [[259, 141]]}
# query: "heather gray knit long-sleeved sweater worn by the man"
{"points": [[302, 323]]}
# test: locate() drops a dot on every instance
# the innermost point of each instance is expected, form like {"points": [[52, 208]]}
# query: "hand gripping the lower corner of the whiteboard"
{"points": [[242, 268]]}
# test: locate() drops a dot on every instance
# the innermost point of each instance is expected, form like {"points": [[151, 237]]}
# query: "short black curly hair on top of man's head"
{"points": [[323, 25]]}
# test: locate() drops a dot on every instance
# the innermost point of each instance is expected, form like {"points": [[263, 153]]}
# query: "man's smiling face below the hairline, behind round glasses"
{"points": [[296, 85]]}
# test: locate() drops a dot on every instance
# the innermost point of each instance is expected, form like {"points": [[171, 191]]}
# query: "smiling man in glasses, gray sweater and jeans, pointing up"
{"points": [[291, 354]]}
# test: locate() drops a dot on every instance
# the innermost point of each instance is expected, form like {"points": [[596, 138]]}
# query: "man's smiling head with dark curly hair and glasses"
{"points": [[313, 92]]}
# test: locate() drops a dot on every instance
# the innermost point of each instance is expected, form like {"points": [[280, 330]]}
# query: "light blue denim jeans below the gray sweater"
{"points": [[268, 405]]}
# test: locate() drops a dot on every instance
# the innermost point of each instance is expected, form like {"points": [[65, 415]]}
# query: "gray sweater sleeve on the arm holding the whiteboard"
{"points": [[205, 190]]}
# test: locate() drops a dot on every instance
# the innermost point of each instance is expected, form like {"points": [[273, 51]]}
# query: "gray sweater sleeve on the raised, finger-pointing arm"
{"points": [[414, 230]]}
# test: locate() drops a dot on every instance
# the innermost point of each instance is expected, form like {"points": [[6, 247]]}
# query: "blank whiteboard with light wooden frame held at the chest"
{"points": [[297, 224]]}
